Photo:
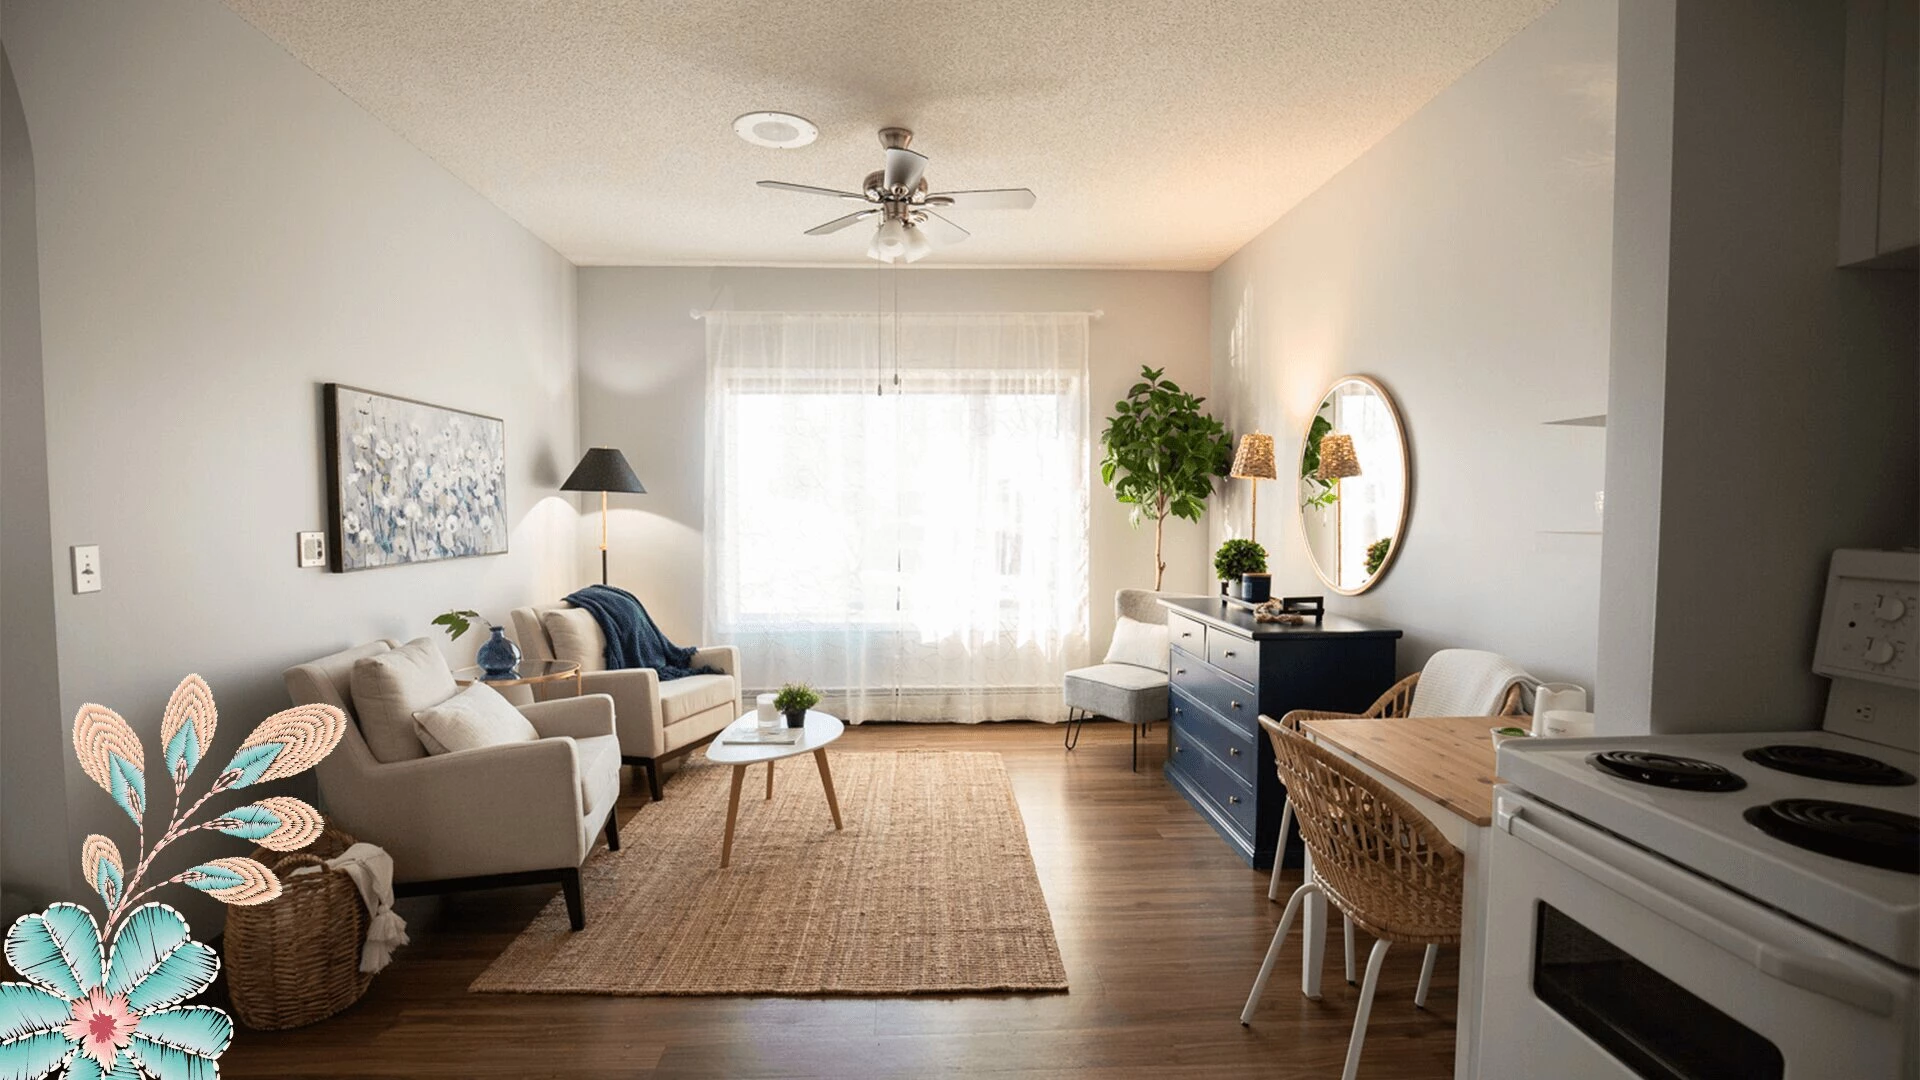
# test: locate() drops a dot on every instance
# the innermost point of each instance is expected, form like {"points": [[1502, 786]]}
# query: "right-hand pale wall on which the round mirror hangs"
{"points": [[1466, 264]]}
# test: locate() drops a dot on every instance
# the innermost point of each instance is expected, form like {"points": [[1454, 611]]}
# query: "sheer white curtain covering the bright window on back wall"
{"points": [[898, 508]]}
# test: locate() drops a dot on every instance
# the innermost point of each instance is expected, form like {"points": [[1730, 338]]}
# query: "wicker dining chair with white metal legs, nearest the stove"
{"points": [[1376, 858]]}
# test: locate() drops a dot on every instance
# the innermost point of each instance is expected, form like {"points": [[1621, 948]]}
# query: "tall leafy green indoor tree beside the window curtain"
{"points": [[1163, 456]]}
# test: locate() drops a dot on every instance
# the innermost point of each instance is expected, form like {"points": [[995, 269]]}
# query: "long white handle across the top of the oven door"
{"points": [[1666, 891]]}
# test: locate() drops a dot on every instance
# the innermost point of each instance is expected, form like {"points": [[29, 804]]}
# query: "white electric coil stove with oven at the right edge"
{"points": [[1723, 906]]}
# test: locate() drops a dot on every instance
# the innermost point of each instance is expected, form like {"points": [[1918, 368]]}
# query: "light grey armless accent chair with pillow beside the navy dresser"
{"points": [[1132, 683]]}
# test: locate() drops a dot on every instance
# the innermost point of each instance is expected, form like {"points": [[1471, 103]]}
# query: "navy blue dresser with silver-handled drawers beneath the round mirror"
{"points": [[1226, 672]]}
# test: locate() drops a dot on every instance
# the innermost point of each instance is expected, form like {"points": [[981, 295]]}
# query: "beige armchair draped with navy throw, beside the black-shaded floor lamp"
{"points": [[658, 722]]}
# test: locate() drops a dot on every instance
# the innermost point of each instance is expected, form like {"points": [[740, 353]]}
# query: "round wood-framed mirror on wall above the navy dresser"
{"points": [[1355, 485]]}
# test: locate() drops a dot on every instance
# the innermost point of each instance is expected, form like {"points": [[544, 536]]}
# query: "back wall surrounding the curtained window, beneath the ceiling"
{"points": [[644, 374]]}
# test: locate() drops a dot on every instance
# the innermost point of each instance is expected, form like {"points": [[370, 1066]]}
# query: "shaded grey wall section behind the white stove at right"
{"points": [[1773, 395]]}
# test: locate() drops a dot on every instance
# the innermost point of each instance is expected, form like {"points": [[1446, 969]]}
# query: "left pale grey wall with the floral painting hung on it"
{"points": [[222, 233]]}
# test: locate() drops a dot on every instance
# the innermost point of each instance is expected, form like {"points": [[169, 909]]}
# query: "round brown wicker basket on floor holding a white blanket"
{"points": [[297, 960]]}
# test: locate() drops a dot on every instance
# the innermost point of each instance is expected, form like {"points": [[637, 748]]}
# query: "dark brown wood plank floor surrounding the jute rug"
{"points": [[1161, 927]]}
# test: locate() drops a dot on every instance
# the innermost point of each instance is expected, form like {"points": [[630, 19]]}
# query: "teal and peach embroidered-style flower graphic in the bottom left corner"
{"points": [[112, 1012]]}
